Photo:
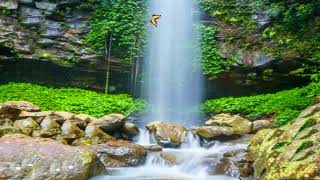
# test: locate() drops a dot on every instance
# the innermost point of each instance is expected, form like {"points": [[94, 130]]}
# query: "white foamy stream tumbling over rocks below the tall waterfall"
{"points": [[190, 162]]}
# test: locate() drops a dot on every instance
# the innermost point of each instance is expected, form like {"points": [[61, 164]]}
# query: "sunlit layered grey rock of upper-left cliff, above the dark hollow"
{"points": [[45, 30]]}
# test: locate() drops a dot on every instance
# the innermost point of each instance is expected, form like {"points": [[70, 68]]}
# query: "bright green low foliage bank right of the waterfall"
{"points": [[284, 105]]}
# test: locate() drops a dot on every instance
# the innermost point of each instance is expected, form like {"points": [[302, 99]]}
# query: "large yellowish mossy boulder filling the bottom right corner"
{"points": [[288, 152]]}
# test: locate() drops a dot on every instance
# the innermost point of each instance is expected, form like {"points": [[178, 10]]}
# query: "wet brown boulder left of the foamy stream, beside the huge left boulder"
{"points": [[120, 153]]}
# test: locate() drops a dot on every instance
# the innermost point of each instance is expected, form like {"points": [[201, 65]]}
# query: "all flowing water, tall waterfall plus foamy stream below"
{"points": [[174, 82]]}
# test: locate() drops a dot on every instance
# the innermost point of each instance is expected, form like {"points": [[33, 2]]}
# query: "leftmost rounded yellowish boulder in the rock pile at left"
{"points": [[27, 126]]}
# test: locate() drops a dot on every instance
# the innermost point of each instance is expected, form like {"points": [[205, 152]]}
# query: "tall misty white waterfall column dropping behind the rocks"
{"points": [[173, 76]]}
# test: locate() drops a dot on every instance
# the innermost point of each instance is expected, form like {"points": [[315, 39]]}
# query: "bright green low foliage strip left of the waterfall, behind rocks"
{"points": [[70, 99]]}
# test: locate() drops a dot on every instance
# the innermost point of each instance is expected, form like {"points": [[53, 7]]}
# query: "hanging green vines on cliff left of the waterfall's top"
{"points": [[124, 19]]}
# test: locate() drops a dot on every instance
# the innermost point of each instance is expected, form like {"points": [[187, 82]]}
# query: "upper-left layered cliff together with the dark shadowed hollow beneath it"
{"points": [[42, 42]]}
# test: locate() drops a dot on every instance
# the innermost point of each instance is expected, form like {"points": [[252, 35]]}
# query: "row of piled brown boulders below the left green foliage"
{"points": [[65, 127]]}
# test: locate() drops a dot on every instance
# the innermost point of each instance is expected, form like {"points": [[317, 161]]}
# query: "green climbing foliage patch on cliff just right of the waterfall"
{"points": [[213, 61]]}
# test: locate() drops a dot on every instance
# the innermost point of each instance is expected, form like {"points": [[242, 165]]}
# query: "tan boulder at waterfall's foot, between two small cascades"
{"points": [[166, 134]]}
